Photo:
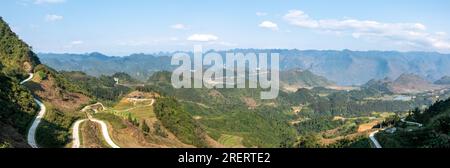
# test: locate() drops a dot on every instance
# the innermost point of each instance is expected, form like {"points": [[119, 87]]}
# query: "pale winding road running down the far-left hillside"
{"points": [[31, 136]]}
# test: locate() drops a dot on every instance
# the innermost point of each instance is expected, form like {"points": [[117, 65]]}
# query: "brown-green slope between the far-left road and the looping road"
{"points": [[62, 99]]}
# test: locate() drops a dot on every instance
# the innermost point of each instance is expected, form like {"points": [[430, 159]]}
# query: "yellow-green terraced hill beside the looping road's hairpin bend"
{"points": [[134, 123]]}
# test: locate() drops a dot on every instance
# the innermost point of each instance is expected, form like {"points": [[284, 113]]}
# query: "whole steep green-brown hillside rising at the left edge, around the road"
{"points": [[60, 97]]}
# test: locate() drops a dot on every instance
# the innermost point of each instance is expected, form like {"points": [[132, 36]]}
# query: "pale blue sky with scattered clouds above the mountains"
{"points": [[119, 27]]}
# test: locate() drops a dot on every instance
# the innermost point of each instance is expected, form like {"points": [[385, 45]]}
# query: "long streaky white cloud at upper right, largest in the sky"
{"points": [[413, 34]]}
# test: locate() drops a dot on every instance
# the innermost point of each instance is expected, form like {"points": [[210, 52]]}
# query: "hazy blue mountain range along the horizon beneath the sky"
{"points": [[343, 67]]}
